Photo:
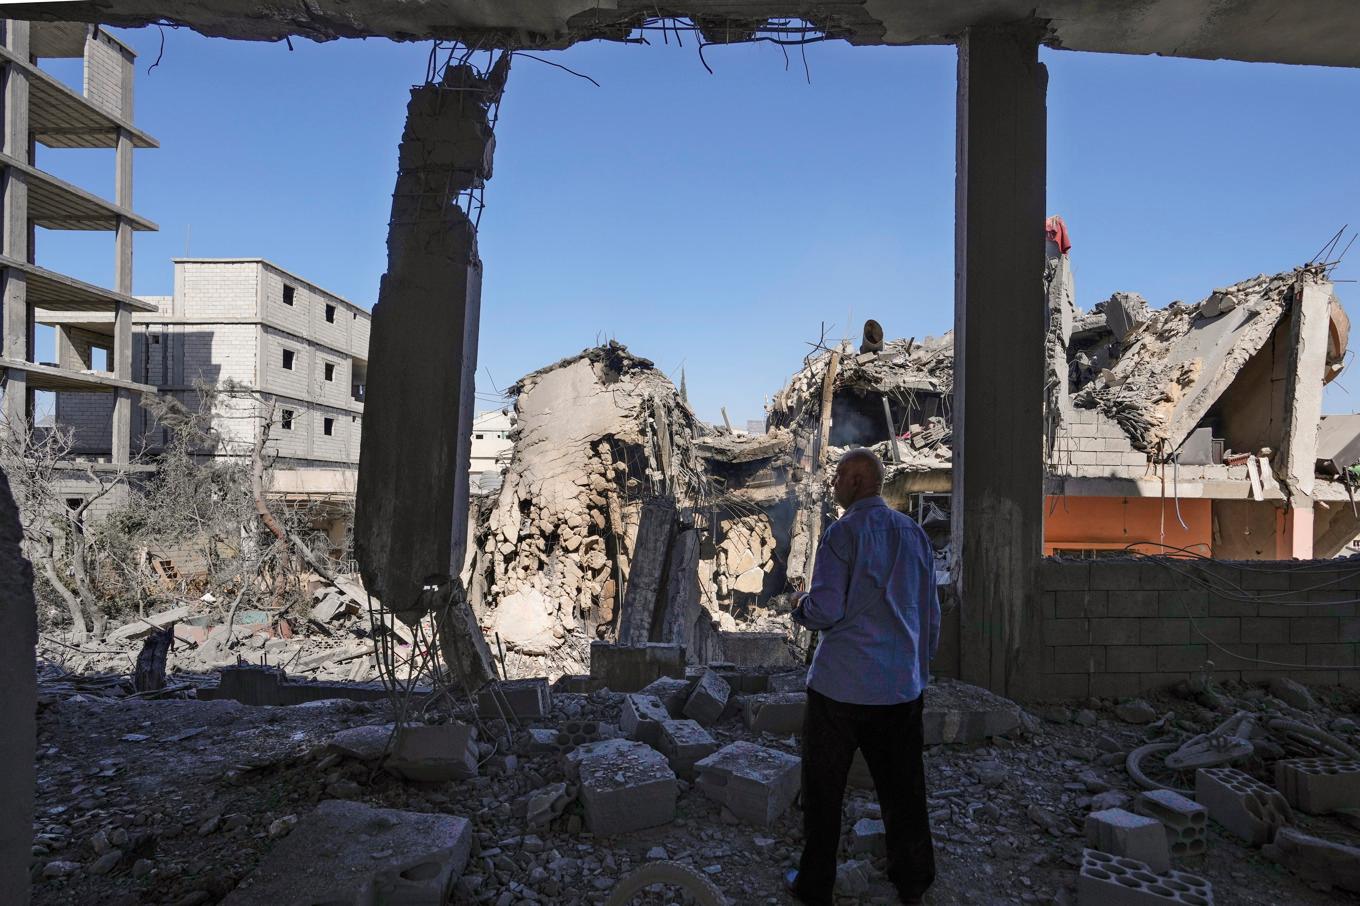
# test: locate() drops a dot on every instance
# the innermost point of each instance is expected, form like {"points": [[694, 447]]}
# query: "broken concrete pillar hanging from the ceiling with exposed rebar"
{"points": [[411, 509]]}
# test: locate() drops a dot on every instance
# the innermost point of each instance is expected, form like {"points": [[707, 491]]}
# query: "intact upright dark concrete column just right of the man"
{"points": [[1000, 354]]}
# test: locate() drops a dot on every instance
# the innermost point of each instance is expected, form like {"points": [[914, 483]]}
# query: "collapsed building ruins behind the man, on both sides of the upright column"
{"points": [[625, 519]]}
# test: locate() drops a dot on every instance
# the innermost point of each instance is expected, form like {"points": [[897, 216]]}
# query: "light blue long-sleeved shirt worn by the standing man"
{"points": [[874, 601]]}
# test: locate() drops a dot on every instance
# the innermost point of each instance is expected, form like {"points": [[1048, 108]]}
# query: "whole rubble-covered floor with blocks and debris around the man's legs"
{"points": [[689, 783]]}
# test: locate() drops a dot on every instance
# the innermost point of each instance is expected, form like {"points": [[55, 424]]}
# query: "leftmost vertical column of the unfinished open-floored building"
{"points": [[14, 296]]}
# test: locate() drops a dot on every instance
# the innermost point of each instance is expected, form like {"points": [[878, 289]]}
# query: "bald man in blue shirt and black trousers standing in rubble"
{"points": [[874, 601]]}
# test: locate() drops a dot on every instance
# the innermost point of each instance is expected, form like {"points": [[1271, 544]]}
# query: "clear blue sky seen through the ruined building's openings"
{"points": [[715, 222]]}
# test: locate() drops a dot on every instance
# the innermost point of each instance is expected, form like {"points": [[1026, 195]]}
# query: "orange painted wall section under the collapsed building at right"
{"points": [[1112, 523]]}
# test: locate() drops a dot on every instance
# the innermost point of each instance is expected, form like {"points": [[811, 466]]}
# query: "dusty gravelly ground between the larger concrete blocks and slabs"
{"points": [[187, 791]]}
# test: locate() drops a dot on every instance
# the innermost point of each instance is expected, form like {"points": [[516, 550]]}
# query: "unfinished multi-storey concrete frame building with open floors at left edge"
{"points": [[95, 367]]}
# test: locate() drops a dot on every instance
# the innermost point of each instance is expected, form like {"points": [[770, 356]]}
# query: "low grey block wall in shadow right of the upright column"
{"points": [[1119, 628]]}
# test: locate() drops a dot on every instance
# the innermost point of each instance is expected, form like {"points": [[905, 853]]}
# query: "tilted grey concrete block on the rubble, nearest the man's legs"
{"points": [[757, 784]]}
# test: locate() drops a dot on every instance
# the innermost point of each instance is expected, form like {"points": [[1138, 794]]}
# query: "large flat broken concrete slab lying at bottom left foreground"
{"points": [[352, 854]]}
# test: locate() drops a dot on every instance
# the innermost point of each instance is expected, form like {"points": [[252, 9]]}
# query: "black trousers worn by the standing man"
{"points": [[891, 741]]}
